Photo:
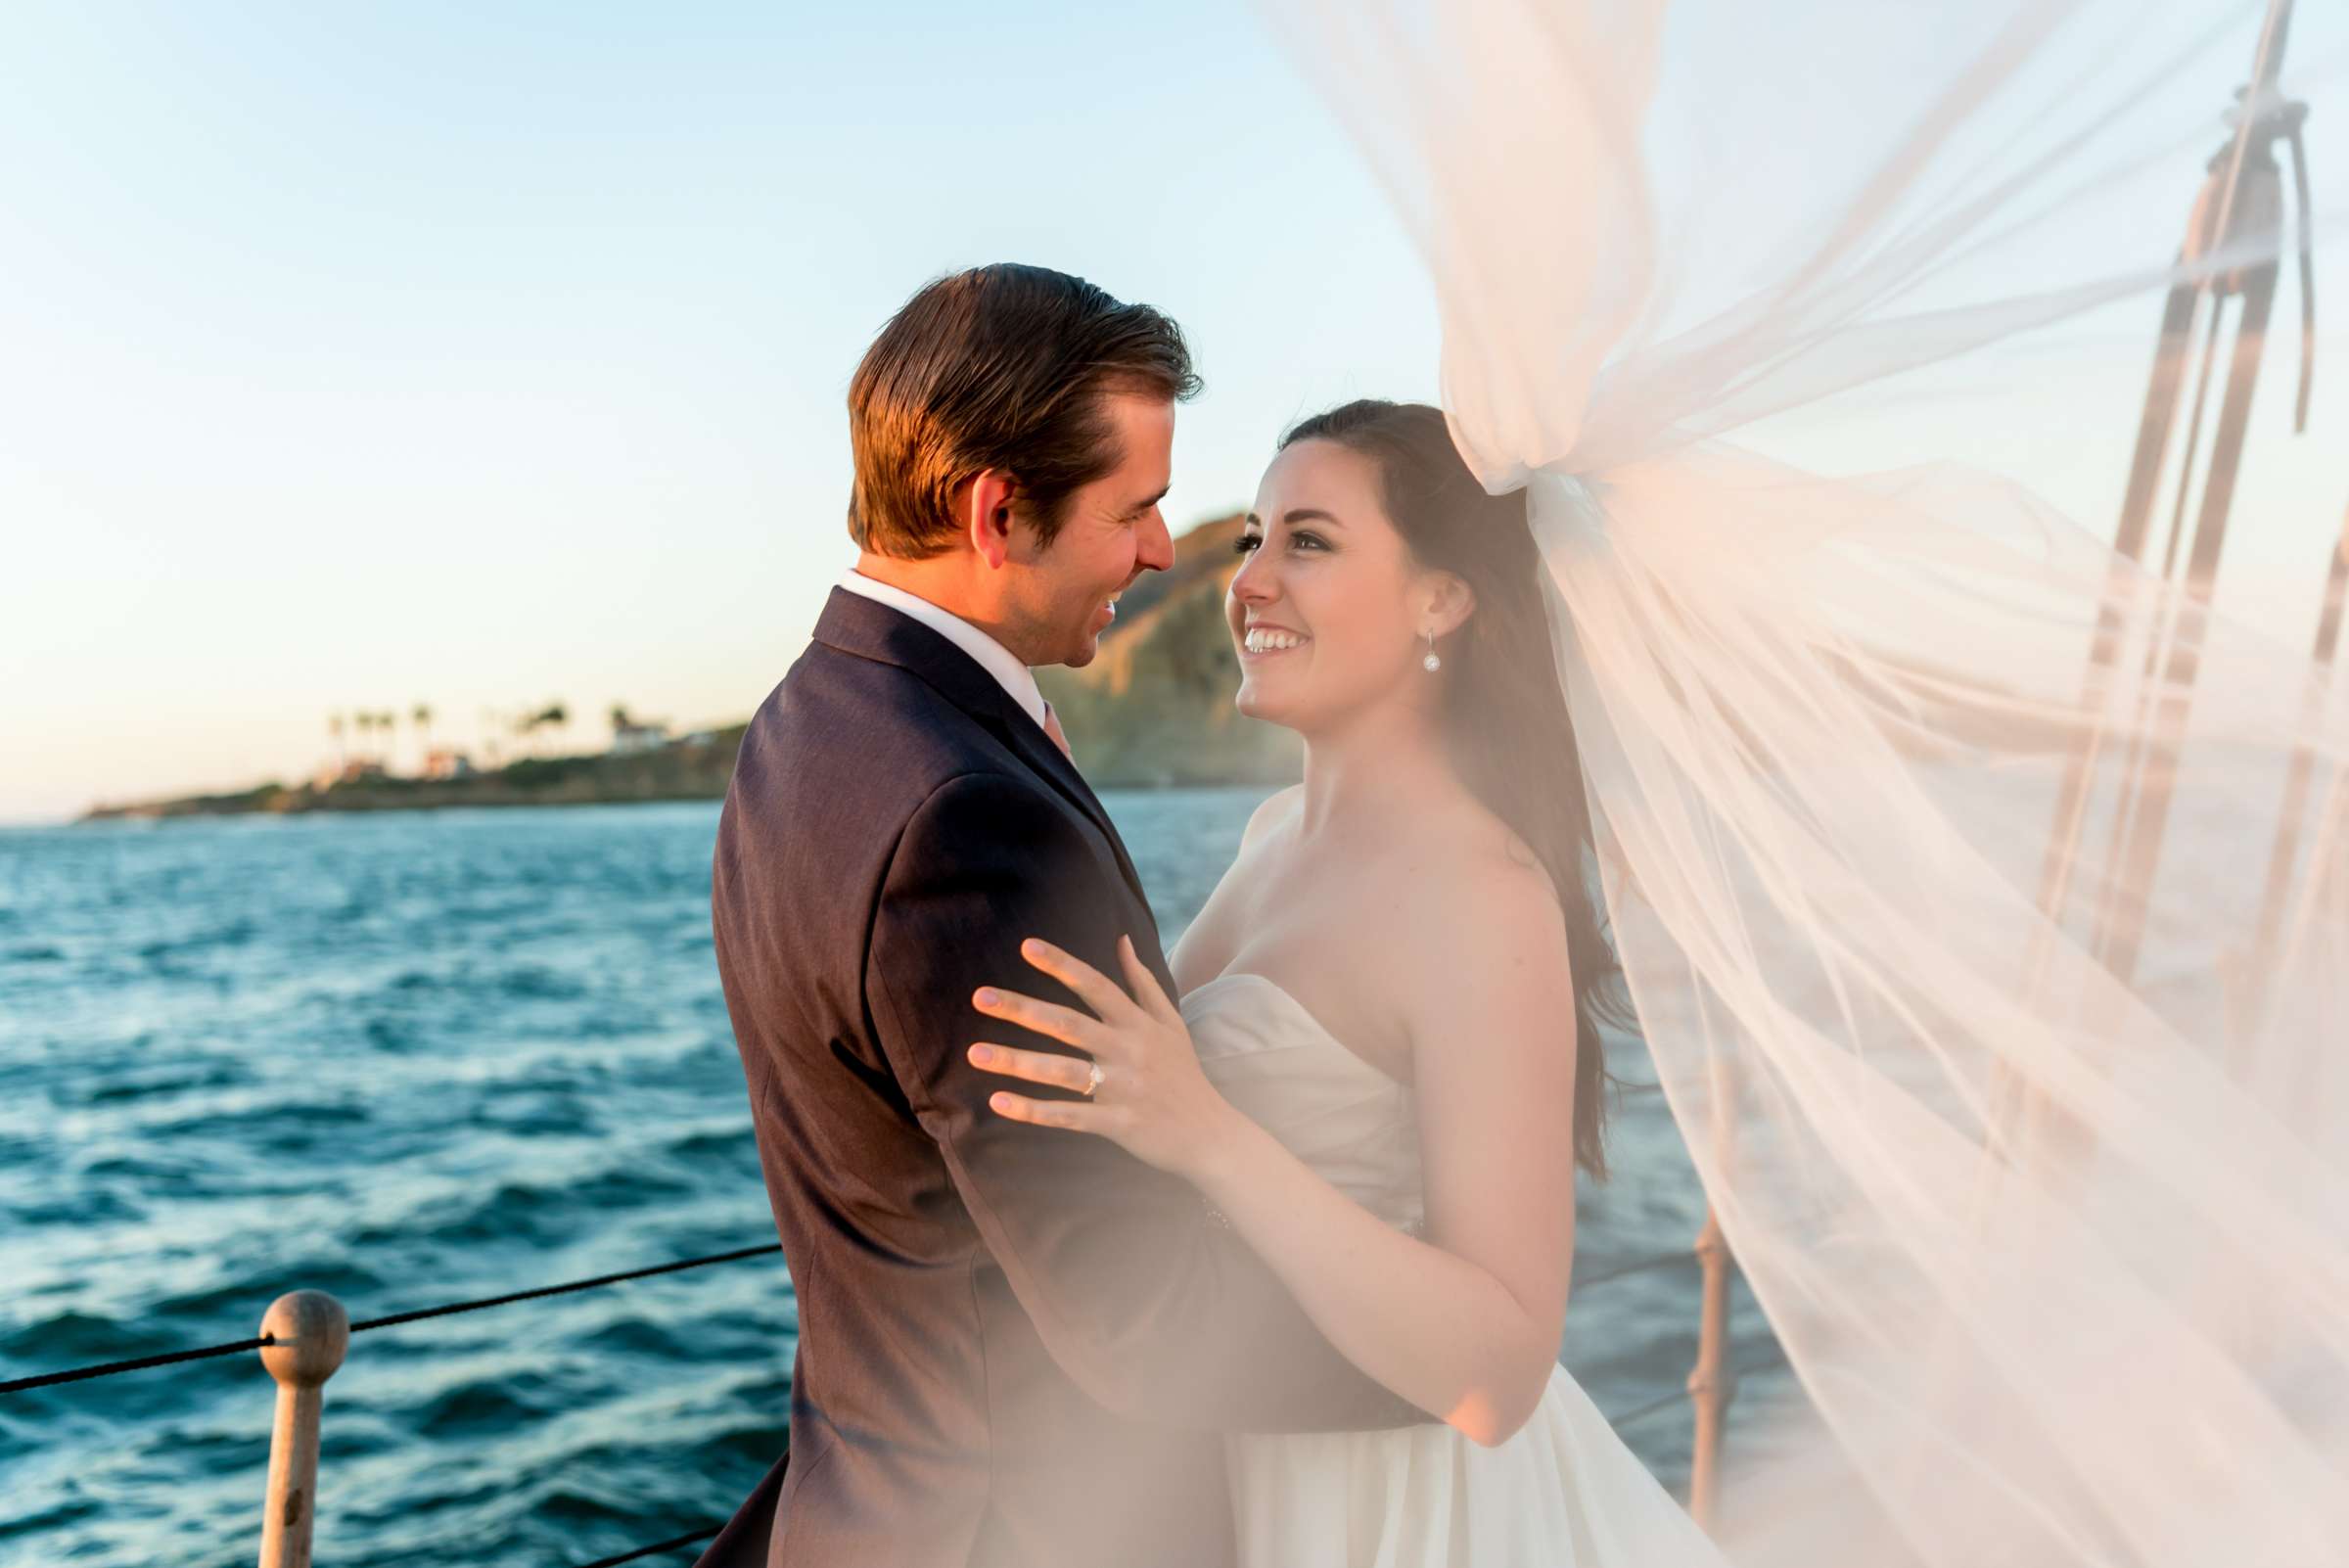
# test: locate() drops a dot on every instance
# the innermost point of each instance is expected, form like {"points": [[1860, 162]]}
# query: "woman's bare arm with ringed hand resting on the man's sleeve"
{"points": [[1465, 1323]]}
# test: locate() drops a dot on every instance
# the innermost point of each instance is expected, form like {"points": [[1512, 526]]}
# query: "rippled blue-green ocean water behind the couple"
{"points": [[429, 1057]]}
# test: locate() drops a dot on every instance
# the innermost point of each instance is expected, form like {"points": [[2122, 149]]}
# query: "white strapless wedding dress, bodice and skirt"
{"points": [[1561, 1494]]}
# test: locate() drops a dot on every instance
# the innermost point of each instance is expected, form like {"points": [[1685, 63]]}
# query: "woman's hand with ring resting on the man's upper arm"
{"points": [[1143, 1083]]}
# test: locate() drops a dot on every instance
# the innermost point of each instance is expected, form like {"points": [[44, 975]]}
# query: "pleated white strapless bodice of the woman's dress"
{"points": [[1328, 1107]]}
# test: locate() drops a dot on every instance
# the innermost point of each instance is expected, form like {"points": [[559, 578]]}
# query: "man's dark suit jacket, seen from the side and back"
{"points": [[1016, 1346]]}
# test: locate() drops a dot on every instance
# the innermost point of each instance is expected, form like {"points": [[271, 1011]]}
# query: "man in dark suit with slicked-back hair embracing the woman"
{"points": [[1014, 1346]]}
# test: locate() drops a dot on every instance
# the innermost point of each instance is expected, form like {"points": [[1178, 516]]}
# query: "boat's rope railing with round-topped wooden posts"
{"points": [[304, 1337]]}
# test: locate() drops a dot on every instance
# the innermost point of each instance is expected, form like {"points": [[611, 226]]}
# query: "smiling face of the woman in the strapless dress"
{"points": [[1328, 604]]}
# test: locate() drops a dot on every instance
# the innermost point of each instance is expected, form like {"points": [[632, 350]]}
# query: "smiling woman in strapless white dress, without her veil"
{"points": [[1389, 1020]]}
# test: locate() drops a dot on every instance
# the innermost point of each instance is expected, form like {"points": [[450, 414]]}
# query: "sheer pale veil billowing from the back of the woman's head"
{"points": [[2035, 1156]]}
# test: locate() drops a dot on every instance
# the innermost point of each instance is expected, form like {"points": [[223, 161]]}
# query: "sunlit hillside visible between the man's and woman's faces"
{"points": [[1155, 708]]}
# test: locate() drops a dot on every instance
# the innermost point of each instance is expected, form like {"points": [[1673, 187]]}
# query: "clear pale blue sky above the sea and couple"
{"points": [[365, 356]]}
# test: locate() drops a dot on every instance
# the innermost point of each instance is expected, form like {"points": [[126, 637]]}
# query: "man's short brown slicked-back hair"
{"points": [[997, 370]]}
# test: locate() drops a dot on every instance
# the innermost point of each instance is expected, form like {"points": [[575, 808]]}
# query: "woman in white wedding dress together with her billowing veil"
{"points": [[1939, 842]]}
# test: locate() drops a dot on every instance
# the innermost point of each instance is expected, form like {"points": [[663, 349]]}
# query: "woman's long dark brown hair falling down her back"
{"points": [[1507, 722]]}
